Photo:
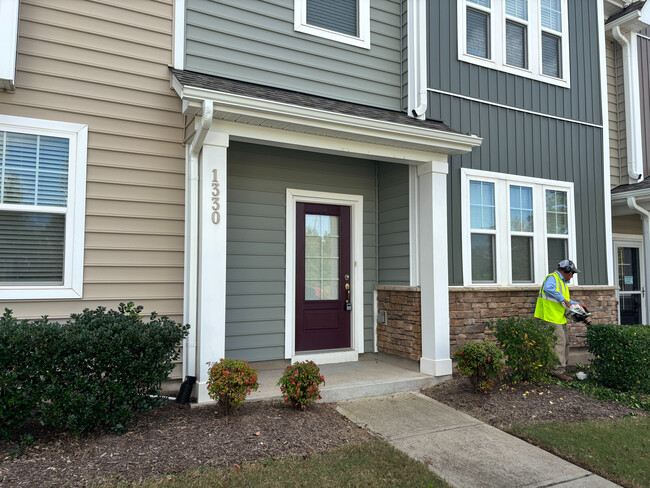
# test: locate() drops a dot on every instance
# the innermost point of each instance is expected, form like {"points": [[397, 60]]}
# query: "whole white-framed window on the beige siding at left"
{"points": [[42, 208]]}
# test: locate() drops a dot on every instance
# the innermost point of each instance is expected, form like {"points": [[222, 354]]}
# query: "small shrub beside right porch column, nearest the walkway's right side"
{"points": [[481, 362]]}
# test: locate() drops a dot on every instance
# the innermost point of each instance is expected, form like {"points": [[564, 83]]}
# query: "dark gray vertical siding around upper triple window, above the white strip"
{"points": [[582, 101]]}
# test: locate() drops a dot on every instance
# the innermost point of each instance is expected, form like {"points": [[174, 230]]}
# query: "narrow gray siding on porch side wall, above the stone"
{"points": [[393, 217]]}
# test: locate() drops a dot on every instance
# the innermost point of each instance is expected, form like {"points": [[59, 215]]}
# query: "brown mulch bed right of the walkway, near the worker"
{"points": [[525, 403]]}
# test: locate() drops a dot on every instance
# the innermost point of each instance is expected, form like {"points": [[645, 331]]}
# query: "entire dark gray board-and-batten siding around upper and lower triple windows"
{"points": [[529, 128]]}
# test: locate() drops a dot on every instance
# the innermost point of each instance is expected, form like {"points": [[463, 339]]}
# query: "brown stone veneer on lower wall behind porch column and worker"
{"points": [[470, 308]]}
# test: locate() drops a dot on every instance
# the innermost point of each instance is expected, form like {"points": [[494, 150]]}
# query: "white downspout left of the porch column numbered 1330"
{"points": [[192, 237]]}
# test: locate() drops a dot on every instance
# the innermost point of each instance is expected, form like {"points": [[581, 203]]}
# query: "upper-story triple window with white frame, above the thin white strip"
{"points": [[524, 37]]}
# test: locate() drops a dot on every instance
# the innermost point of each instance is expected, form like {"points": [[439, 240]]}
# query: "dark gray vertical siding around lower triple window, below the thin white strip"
{"points": [[540, 147]]}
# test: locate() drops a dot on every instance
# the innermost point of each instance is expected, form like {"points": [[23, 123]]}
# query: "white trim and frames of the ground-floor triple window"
{"points": [[502, 221]]}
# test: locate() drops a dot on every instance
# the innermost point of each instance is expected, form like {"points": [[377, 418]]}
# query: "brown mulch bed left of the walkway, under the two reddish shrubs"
{"points": [[172, 439]]}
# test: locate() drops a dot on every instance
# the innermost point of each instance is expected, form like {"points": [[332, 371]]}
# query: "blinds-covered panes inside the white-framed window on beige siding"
{"points": [[33, 207]]}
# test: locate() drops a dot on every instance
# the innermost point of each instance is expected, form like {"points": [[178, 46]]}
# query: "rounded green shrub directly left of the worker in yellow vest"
{"points": [[528, 346]]}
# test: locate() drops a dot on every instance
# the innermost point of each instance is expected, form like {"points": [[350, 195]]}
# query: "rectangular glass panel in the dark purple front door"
{"points": [[321, 257]]}
